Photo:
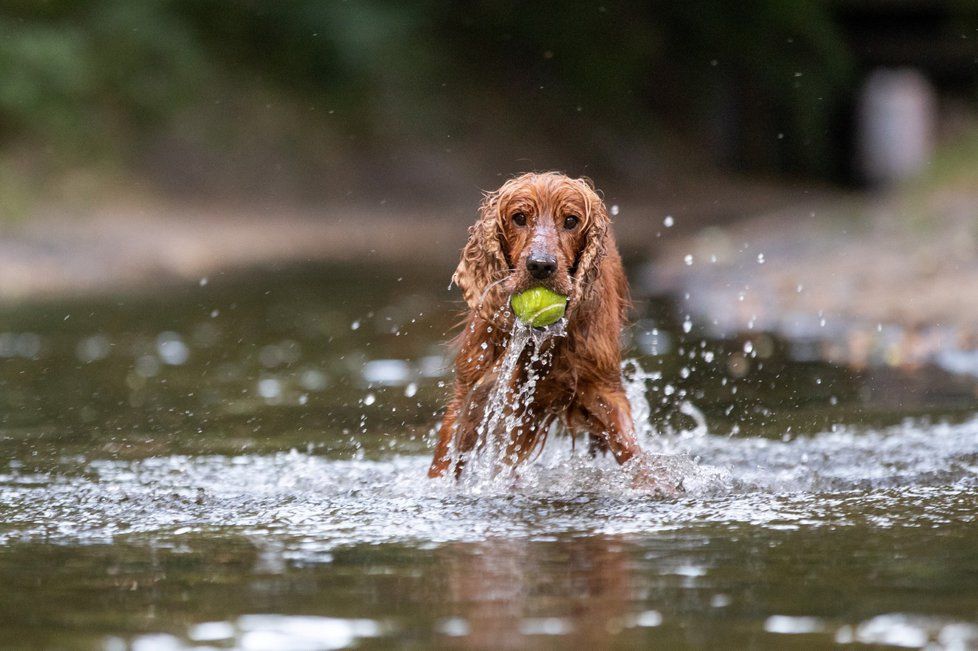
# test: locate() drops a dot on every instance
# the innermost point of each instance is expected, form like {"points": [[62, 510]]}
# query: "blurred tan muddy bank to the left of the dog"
{"points": [[138, 249]]}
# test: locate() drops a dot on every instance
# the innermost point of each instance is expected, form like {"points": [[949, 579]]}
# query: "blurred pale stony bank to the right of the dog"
{"points": [[890, 279]]}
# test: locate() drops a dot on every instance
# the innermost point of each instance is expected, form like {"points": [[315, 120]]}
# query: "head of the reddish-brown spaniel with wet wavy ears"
{"points": [[536, 230]]}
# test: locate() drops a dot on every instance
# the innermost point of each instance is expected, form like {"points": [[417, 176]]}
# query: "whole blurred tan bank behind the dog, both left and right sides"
{"points": [[870, 279]]}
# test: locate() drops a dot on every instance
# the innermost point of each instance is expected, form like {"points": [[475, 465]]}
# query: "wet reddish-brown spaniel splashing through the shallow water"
{"points": [[550, 230]]}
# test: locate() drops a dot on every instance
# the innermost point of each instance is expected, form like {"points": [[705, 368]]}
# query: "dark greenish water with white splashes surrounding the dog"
{"points": [[256, 479]]}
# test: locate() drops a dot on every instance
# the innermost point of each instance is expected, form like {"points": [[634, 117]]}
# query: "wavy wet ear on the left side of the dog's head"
{"points": [[483, 260]]}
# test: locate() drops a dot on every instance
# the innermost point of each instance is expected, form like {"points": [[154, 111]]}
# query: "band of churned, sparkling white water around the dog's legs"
{"points": [[911, 475]]}
